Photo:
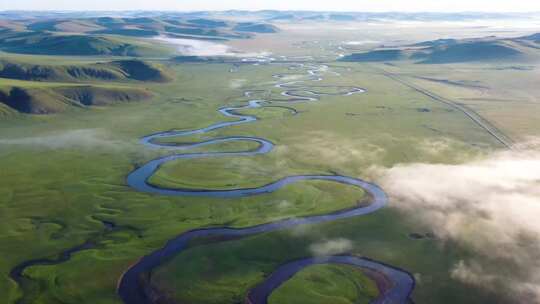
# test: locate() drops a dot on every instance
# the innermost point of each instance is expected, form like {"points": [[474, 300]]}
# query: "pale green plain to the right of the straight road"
{"points": [[504, 93]]}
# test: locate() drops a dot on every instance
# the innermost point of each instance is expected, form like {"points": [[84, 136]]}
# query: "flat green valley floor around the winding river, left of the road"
{"points": [[80, 181]]}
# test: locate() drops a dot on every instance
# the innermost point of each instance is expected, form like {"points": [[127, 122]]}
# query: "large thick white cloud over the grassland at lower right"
{"points": [[490, 206]]}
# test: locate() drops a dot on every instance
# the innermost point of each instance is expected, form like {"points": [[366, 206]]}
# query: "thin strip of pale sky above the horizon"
{"points": [[334, 5]]}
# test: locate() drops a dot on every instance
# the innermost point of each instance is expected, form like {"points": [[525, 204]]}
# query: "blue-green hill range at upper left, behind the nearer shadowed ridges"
{"points": [[110, 35]]}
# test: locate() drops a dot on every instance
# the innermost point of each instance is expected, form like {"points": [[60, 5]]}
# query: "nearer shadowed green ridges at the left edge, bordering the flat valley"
{"points": [[46, 89]]}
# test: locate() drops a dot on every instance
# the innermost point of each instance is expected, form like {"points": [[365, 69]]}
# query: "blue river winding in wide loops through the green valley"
{"points": [[130, 287]]}
